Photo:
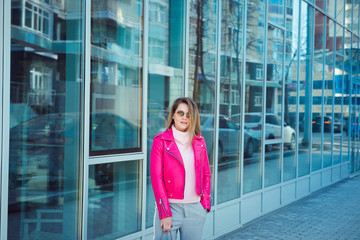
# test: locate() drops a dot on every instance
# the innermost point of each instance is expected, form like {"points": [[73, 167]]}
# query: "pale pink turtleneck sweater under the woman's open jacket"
{"points": [[184, 145]]}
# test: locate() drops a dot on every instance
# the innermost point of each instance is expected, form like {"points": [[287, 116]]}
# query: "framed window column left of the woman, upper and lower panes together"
{"points": [[114, 188]]}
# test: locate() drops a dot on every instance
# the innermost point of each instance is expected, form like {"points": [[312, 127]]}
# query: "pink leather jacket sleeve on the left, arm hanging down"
{"points": [[157, 178]]}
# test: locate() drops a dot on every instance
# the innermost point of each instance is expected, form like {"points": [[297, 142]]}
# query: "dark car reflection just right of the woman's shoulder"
{"points": [[229, 136]]}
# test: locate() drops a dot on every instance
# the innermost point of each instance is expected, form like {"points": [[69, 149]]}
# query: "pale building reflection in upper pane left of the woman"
{"points": [[116, 56]]}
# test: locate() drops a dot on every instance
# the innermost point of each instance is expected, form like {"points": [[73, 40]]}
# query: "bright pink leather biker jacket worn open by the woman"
{"points": [[168, 172]]}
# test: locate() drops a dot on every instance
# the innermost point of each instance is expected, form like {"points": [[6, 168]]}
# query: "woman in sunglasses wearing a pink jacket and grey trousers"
{"points": [[180, 175]]}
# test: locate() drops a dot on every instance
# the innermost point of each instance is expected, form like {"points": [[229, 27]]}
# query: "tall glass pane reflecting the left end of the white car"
{"points": [[255, 54]]}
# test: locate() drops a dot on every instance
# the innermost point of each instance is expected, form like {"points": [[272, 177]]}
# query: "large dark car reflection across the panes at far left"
{"points": [[42, 147]]}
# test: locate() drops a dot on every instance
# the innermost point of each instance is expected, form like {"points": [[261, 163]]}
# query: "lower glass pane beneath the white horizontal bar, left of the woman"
{"points": [[114, 205]]}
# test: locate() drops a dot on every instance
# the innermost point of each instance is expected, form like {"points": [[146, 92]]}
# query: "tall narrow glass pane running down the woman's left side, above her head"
{"points": [[166, 73]]}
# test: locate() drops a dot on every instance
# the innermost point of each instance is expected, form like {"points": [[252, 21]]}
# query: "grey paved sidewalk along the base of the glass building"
{"points": [[332, 213]]}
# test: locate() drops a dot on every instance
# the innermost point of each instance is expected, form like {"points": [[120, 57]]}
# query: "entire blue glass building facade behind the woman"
{"points": [[86, 85]]}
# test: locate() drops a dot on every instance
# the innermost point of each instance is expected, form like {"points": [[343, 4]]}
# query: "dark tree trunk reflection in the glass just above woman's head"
{"points": [[200, 5]]}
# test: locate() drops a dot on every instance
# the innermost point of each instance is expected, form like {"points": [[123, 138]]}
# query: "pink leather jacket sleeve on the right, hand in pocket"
{"points": [[205, 197]]}
